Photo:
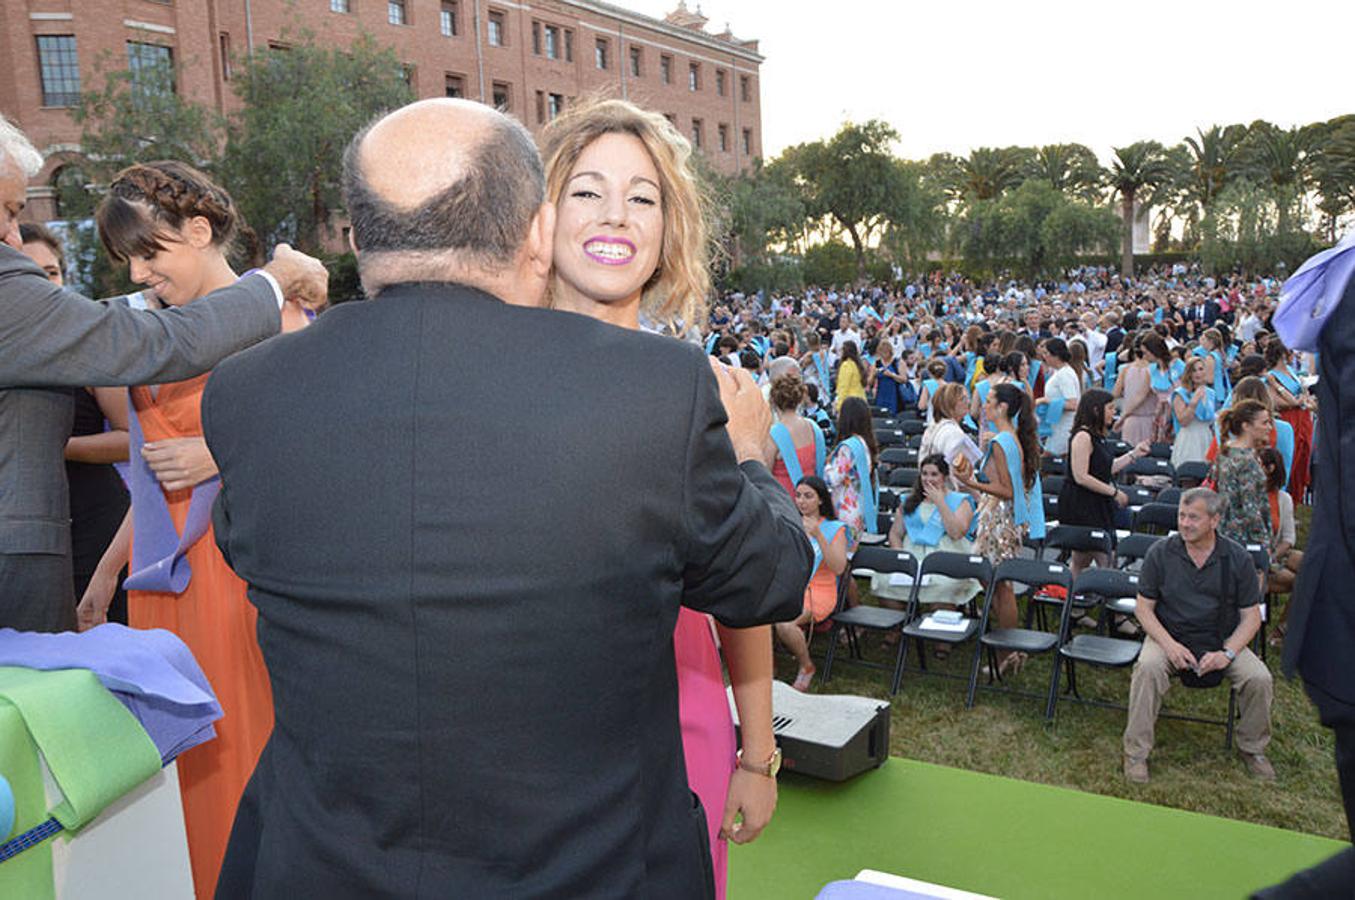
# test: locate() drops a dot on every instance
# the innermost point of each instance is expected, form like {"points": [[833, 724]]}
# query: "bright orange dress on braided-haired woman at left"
{"points": [[217, 623]]}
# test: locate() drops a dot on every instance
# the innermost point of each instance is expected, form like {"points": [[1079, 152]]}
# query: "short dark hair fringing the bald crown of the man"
{"points": [[484, 215]]}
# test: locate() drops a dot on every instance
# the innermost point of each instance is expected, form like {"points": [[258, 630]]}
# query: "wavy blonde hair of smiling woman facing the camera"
{"points": [[677, 292]]}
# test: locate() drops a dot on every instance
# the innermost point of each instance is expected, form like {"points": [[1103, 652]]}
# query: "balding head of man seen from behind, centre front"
{"points": [[442, 182]]}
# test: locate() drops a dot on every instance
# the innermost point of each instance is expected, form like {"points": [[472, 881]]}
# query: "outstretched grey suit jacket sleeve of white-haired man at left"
{"points": [[58, 338]]}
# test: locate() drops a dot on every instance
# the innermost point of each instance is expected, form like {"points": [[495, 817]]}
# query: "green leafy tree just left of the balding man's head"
{"points": [[301, 108]]}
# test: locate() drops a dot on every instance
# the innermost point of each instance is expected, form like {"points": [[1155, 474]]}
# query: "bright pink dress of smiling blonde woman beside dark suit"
{"points": [[708, 731]]}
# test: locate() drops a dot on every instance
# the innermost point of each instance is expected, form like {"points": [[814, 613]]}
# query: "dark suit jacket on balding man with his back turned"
{"points": [[468, 528]]}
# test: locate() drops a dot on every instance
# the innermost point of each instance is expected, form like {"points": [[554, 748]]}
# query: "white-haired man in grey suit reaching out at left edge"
{"points": [[52, 341]]}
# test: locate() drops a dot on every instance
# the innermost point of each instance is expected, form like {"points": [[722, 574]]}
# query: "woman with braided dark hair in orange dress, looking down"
{"points": [[174, 228]]}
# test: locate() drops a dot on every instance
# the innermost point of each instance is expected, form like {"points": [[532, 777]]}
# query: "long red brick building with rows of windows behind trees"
{"points": [[528, 59]]}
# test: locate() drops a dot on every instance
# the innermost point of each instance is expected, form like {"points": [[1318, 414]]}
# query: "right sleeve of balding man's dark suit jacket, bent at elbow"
{"points": [[747, 559]]}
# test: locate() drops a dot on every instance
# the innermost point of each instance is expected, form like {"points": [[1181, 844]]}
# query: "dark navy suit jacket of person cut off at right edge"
{"points": [[1320, 639]]}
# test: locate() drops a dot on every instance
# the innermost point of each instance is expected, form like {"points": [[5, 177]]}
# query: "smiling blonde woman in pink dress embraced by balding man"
{"points": [[631, 242]]}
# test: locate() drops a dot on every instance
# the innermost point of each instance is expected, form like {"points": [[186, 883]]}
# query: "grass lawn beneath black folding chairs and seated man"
{"points": [[1007, 735]]}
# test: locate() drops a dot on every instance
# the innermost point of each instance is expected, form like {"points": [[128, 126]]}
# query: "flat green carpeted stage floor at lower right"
{"points": [[1009, 840]]}
